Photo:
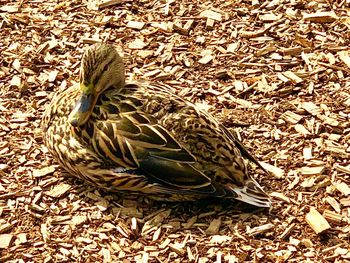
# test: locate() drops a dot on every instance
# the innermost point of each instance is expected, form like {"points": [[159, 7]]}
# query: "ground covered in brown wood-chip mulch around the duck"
{"points": [[275, 72]]}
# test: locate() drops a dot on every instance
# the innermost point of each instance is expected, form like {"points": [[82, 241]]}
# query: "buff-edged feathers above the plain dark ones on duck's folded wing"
{"points": [[132, 136]]}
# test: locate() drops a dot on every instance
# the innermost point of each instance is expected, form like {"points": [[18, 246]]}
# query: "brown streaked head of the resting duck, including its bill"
{"points": [[101, 68]]}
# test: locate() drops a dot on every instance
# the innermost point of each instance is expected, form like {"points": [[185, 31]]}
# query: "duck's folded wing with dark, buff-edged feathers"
{"points": [[134, 140]]}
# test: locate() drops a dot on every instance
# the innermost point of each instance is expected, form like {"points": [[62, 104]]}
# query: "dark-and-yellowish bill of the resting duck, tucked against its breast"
{"points": [[82, 110]]}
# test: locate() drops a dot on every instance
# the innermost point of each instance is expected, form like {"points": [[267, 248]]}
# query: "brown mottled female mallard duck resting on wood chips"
{"points": [[143, 137]]}
